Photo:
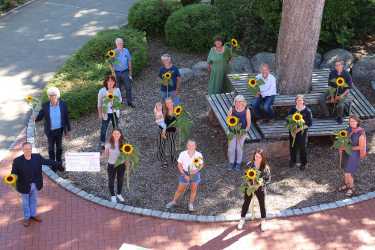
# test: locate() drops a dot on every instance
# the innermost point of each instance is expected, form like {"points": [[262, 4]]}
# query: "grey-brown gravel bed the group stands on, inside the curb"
{"points": [[152, 186]]}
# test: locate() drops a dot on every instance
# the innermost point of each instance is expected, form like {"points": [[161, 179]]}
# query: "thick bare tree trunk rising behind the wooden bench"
{"points": [[297, 44]]}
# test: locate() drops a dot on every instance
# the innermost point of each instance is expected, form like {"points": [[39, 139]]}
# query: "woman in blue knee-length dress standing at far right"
{"points": [[351, 161]]}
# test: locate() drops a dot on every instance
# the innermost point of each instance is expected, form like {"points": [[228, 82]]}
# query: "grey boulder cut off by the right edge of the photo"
{"points": [[364, 70]]}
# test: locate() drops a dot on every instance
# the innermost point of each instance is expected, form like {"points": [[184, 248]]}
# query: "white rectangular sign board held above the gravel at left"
{"points": [[82, 162]]}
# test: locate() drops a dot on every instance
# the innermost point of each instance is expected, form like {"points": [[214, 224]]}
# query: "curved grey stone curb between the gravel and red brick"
{"points": [[67, 185]]}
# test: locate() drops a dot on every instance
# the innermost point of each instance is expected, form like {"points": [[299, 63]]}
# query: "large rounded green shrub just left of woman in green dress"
{"points": [[192, 27]]}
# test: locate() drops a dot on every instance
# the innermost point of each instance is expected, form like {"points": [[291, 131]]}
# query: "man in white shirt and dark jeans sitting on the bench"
{"points": [[263, 101]]}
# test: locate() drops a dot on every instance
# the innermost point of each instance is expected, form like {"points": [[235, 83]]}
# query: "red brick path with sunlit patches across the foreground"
{"points": [[74, 223]]}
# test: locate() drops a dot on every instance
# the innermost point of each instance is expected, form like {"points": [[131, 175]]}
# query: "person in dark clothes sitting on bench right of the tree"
{"points": [[342, 92]]}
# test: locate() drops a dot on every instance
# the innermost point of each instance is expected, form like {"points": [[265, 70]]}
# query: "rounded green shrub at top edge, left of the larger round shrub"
{"points": [[151, 15]]}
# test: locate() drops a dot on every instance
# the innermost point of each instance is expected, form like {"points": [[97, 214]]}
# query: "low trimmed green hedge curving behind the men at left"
{"points": [[81, 76]]}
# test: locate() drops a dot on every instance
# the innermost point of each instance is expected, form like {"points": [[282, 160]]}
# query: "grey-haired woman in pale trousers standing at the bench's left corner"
{"points": [[235, 146]]}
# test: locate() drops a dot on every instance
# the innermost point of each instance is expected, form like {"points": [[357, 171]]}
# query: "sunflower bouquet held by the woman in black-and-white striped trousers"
{"points": [[183, 123]]}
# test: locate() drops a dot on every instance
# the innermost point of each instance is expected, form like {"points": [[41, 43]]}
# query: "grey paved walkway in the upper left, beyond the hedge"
{"points": [[36, 40]]}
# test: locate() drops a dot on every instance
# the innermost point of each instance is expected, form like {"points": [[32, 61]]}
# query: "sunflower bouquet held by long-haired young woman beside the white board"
{"points": [[128, 155]]}
